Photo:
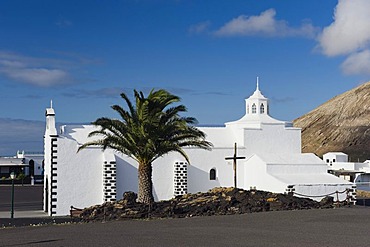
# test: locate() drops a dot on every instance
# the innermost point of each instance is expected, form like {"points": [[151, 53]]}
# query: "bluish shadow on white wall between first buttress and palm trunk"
{"points": [[126, 177]]}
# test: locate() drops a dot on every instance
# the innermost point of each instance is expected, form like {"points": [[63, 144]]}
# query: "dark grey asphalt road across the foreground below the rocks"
{"points": [[329, 227]]}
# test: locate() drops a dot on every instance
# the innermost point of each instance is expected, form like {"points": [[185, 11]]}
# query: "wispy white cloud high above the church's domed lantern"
{"points": [[264, 24]]}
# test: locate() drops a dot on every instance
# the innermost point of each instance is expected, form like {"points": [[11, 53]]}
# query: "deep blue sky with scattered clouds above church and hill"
{"points": [[83, 54]]}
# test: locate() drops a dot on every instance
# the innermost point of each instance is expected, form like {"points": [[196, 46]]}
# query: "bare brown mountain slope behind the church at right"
{"points": [[340, 124]]}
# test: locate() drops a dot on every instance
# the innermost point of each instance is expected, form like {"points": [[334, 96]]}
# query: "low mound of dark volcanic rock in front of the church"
{"points": [[218, 201]]}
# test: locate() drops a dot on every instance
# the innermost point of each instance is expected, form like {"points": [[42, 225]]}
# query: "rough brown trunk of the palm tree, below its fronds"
{"points": [[145, 194]]}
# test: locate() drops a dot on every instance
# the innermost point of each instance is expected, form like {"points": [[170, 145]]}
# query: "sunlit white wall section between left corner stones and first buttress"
{"points": [[80, 176]]}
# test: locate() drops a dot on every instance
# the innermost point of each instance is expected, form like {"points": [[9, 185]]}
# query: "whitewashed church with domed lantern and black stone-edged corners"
{"points": [[273, 162]]}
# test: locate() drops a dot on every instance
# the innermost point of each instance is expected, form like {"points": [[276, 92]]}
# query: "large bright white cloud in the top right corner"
{"points": [[350, 30]]}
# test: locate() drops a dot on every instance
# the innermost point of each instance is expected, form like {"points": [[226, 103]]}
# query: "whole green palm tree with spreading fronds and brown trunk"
{"points": [[148, 130]]}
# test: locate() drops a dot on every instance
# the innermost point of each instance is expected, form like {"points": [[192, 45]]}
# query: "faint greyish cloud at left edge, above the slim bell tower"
{"points": [[35, 71]]}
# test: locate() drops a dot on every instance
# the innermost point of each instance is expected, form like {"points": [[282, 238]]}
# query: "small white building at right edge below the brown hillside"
{"points": [[356, 172]]}
